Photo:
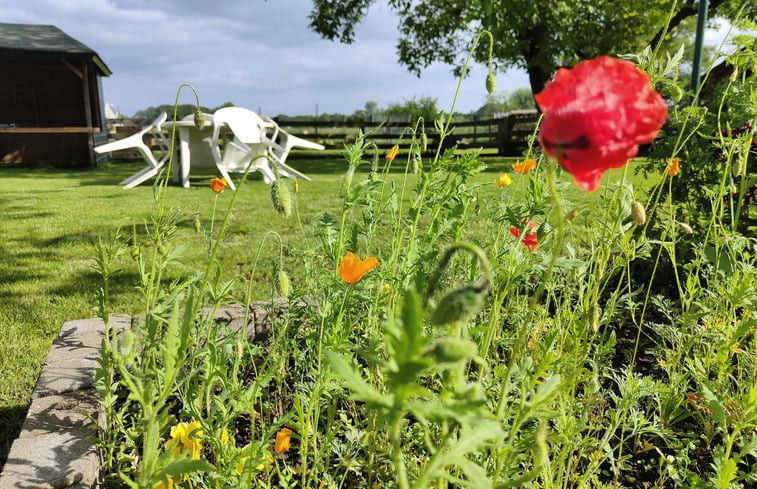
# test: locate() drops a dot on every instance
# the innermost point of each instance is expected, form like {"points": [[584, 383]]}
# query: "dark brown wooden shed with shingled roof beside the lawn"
{"points": [[51, 105]]}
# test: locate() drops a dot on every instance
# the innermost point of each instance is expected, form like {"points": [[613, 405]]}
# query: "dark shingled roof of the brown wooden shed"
{"points": [[45, 38]]}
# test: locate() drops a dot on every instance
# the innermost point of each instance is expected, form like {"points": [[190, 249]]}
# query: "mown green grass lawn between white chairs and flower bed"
{"points": [[51, 218]]}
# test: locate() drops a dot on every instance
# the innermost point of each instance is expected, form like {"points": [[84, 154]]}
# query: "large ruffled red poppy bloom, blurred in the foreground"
{"points": [[596, 115]]}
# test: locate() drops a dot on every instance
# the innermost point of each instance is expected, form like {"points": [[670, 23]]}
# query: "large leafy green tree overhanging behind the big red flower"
{"points": [[538, 37]]}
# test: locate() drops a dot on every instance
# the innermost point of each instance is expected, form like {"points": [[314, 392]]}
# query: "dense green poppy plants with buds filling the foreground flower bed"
{"points": [[522, 340]]}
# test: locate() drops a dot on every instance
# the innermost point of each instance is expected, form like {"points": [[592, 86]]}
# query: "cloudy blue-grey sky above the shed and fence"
{"points": [[255, 53]]}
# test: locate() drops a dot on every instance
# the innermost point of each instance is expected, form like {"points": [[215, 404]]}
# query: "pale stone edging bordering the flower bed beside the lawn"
{"points": [[53, 450]]}
